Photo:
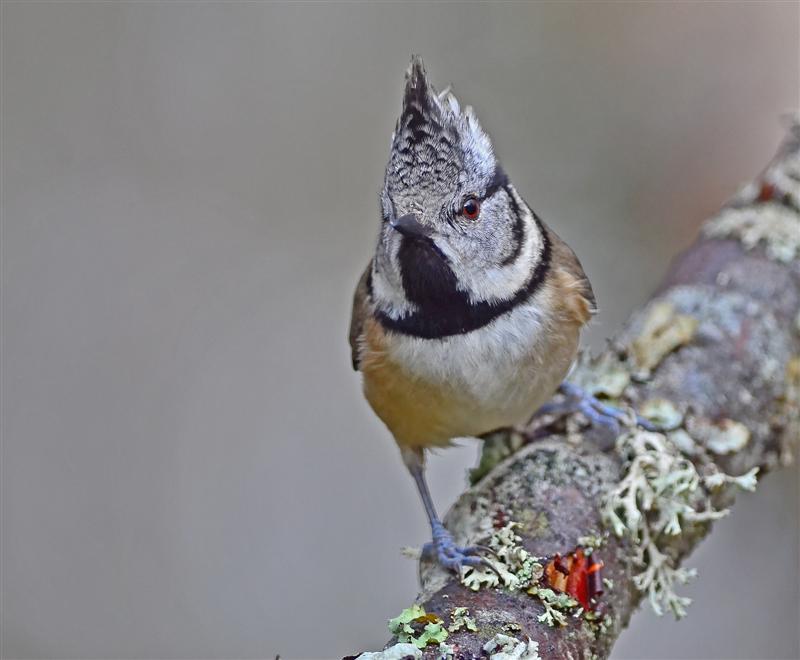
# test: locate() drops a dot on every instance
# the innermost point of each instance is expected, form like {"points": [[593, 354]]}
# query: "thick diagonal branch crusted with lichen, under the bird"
{"points": [[713, 363]]}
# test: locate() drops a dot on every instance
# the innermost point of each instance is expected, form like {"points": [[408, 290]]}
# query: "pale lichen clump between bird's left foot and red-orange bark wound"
{"points": [[514, 567]]}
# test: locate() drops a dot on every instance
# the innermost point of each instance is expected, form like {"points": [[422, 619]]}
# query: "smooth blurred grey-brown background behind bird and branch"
{"points": [[190, 191]]}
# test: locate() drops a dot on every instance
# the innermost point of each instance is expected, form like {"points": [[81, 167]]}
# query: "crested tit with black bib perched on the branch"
{"points": [[468, 317]]}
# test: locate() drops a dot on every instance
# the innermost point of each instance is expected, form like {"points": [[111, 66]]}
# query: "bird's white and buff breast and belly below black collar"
{"points": [[428, 391]]}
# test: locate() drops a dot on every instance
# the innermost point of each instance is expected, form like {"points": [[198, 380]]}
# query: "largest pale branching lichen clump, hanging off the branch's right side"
{"points": [[661, 494]]}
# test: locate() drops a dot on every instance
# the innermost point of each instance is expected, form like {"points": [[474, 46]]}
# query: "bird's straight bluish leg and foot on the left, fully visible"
{"points": [[447, 553]]}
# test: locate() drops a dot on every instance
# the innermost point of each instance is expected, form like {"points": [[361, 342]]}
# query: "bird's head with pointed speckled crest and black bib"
{"points": [[457, 243]]}
